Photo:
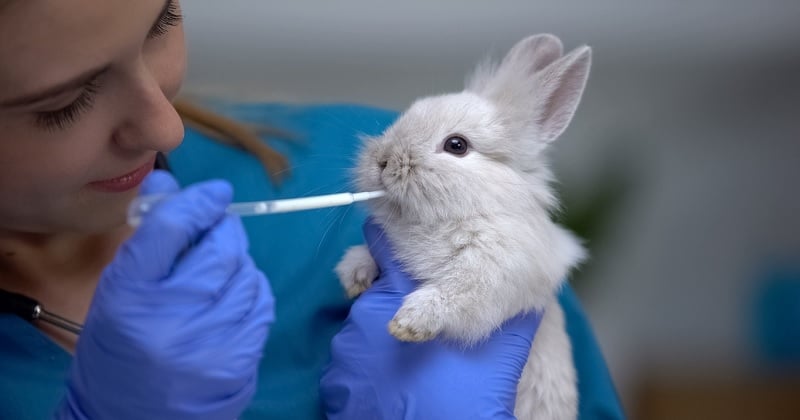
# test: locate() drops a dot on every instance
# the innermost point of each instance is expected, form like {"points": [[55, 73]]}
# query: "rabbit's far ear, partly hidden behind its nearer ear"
{"points": [[525, 58]]}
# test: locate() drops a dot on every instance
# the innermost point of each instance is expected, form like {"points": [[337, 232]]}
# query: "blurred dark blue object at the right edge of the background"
{"points": [[777, 316]]}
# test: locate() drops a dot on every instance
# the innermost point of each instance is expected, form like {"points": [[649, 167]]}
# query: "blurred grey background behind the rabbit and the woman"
{"points": [[681, 167]]}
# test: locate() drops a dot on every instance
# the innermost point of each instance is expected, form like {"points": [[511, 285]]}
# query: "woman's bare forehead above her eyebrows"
{"points": [[48, 41]]}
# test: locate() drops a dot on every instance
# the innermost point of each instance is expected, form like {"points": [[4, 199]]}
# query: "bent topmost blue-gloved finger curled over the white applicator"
{"points": [[171, 228]]}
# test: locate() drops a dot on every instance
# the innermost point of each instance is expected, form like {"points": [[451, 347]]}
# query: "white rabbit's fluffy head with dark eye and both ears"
{"points": [[480, 150]]}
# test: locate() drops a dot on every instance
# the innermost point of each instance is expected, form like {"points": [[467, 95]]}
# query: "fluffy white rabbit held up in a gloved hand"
{"points": [[467, 208]]}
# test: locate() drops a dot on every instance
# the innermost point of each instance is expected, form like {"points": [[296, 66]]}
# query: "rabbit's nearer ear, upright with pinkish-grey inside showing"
{"points": [[559, 88]]}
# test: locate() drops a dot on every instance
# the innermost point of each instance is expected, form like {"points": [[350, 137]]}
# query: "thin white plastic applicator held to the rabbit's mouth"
{"points": [[143, 204]]}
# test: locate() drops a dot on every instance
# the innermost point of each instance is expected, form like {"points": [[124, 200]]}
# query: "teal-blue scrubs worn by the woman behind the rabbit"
{"points": [[297, 251]]}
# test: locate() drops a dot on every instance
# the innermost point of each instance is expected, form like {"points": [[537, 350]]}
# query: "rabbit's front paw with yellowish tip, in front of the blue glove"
{"points": [[420, 317]]}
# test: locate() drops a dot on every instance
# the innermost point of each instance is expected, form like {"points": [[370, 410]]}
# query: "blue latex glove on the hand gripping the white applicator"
{"points": [[179, 319]]}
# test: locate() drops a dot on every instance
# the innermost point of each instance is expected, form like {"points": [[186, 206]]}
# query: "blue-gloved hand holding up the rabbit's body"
{"points": [[372, 375]]}
